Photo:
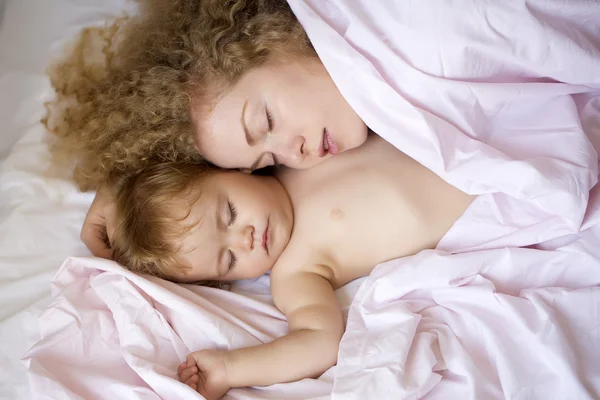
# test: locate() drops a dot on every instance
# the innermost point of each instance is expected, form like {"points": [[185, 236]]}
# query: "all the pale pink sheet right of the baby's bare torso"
{"points": [[501, 99]]}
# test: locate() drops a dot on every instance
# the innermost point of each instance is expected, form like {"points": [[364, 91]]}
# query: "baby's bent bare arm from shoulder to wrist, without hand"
{"points": [[310, 348]]}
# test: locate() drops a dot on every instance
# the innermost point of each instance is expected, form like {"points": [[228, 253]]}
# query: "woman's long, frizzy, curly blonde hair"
{"points": [[131, 108]]}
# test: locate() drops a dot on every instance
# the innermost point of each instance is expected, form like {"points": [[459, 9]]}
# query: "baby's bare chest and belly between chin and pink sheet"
{"points": [[367, 207]]}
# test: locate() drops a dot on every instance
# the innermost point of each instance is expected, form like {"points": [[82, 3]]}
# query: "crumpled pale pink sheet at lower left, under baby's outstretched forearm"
{"points": [[112, 334]]}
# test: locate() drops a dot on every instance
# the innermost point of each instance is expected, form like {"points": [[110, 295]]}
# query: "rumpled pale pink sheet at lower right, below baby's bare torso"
{"points": [[511, 323]]}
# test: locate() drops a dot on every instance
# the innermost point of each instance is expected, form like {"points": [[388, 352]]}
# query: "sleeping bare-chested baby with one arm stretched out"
{"points": [[315, 230]]}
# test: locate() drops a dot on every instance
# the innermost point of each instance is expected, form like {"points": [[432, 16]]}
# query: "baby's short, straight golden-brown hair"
{"points": [[152, 207]]}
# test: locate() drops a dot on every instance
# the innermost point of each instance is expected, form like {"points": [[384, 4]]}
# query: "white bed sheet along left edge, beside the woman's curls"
{"points": [[40, 216]]}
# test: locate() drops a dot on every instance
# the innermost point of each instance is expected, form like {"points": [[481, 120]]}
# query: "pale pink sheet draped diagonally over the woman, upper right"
{"points": [[490, 95]]}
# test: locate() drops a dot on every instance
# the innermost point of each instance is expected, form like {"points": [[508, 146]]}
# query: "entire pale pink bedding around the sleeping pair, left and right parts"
{"points": [[502, 100]]}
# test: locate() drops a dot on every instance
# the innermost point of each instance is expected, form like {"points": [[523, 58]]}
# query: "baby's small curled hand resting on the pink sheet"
{"points": [[206, 372]]}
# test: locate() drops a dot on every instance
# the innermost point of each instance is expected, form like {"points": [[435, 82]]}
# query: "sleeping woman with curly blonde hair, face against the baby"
{"points": [[236, 83]]}
